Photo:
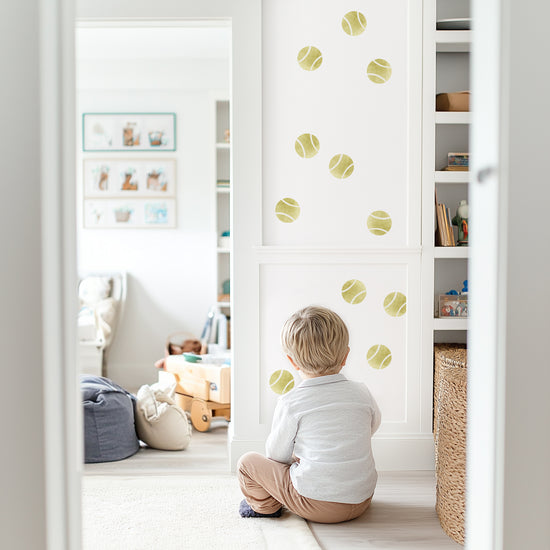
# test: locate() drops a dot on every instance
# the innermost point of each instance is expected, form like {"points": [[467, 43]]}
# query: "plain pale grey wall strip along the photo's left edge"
{"points": [[22, 497]]}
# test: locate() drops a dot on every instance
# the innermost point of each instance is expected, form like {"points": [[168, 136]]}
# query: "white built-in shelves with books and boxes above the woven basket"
{"points": [[446, 69]]}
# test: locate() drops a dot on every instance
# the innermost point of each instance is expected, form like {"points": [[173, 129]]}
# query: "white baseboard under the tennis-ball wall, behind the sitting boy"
{"points": [[391, 453]]}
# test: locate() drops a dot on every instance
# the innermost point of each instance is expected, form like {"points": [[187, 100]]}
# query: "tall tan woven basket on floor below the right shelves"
{"points": [[450, 442]]}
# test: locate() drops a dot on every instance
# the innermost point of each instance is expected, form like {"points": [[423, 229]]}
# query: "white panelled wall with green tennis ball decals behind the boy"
{"points": [[309, 260]]}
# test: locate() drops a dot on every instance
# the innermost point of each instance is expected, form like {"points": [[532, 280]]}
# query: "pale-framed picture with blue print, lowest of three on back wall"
{"points": [[153, 213]]}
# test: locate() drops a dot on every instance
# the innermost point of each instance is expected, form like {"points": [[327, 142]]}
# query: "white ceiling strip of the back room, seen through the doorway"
{"points": [[195, 41]]}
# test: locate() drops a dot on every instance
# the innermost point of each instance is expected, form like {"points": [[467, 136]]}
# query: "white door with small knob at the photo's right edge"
{"points": [[508, 445]]}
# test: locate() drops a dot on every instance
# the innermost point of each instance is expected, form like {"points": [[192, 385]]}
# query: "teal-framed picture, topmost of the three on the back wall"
{"points": [[129, 132]]}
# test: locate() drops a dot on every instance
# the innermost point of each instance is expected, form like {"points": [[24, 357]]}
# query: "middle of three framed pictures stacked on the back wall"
{"points": [[136, 178]]}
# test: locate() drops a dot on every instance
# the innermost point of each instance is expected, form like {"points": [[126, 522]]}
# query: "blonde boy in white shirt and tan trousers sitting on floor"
{"points": [[319, 460]]}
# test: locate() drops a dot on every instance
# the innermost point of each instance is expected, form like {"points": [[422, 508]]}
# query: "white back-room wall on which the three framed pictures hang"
{"points": [[171, 272]]}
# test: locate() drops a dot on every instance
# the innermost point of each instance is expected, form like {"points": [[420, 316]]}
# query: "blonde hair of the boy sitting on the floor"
{"points": [[317, 340]]}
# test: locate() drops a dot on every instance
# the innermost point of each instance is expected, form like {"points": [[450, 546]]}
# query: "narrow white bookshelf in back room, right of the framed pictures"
{"points": [[223, 199]]}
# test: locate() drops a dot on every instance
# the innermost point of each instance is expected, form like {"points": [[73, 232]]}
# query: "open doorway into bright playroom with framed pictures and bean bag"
{"points": [[153, 212]]}
